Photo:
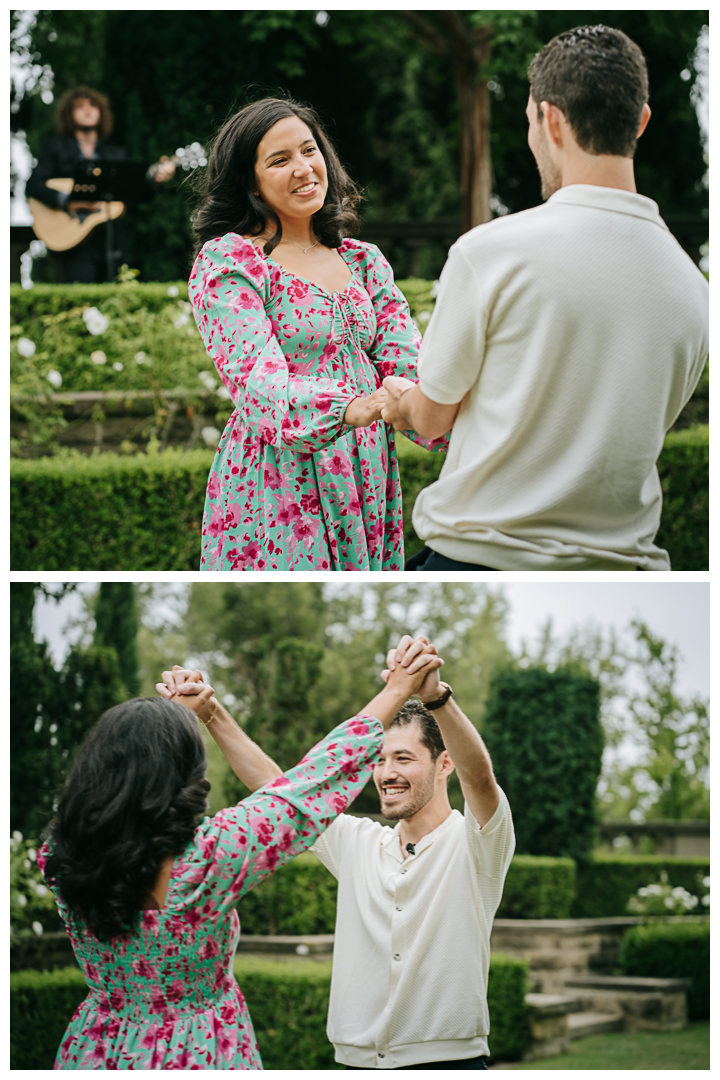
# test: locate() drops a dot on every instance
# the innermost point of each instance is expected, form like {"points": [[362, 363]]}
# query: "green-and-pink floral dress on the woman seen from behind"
{"points": [[167, 998]]}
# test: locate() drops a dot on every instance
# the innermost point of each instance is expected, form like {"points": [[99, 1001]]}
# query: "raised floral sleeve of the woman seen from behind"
{"points": [[239, 847]]}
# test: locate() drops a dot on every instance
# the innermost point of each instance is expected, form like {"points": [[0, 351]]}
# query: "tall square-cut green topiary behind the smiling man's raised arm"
{"points": [[545, 735]]}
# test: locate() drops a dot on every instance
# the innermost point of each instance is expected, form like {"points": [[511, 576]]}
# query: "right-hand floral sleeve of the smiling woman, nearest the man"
{"points": [[398, 341]]}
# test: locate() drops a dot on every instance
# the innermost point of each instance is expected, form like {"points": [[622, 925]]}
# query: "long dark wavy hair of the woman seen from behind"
{"points": [[134, 796]]}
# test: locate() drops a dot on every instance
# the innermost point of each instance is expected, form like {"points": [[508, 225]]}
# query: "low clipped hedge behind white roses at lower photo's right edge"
{"points": [[607, 883]]}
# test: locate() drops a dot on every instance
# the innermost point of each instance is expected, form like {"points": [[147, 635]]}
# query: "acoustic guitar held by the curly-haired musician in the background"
{"points": [[63, 229]]}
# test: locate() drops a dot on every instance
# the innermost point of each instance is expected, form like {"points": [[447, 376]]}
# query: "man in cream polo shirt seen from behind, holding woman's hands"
{"points": [[564, 345]]}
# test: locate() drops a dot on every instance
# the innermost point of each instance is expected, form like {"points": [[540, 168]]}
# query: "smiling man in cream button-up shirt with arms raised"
{"points": [[416, 903]]}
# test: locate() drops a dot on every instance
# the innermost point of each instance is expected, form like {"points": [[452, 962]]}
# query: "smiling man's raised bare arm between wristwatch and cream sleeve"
{"points": [[471, 760]]}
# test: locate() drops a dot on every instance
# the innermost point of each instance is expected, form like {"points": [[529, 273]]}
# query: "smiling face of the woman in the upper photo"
{"points": [[291, 171]]}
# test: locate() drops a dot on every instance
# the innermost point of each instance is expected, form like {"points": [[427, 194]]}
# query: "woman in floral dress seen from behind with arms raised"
{"points": [[147, 887]]}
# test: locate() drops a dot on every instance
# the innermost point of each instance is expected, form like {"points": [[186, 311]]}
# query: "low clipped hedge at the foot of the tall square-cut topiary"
{"points": [[538, 887]]}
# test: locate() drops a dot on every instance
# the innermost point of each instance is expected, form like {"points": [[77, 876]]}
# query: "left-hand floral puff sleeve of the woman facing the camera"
{"points": [[229, 289]]}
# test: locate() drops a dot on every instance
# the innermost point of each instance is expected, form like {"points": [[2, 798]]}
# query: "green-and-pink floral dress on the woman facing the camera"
{"points": [[292, 487]]}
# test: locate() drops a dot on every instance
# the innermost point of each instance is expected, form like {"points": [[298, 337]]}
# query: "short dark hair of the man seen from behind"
{"points": [[600, 80]]}
